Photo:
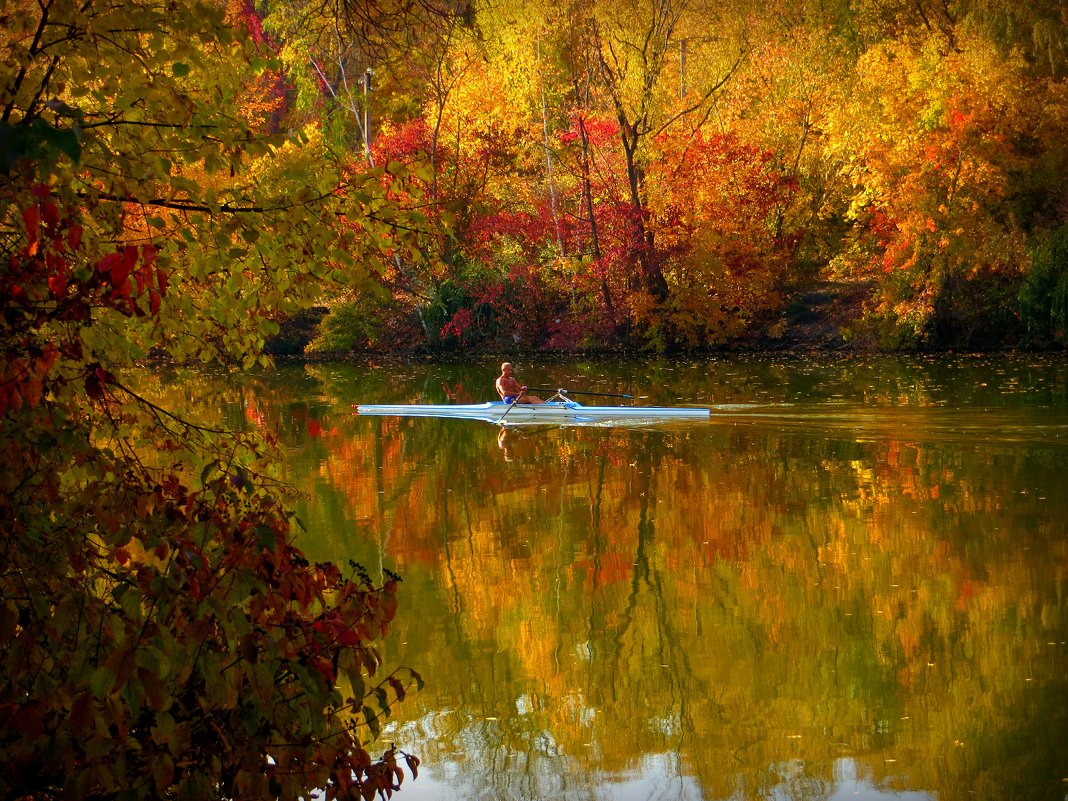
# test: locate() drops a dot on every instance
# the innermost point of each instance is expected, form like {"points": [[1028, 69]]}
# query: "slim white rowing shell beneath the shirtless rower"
{"points": [[555, 412]]}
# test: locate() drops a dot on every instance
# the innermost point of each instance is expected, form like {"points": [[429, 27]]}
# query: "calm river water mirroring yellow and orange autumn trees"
{"points": [[852, 584]]}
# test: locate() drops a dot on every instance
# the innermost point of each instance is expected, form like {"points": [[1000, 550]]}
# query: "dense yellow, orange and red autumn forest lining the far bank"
{"points": [[683, 174]]}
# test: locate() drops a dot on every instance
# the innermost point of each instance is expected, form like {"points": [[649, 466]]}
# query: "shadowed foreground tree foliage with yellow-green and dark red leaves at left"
{"points": [[165, 634]]}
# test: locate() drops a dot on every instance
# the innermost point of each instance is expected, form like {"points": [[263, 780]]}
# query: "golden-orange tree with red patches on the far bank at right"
{"points": [[936, 158]]}
